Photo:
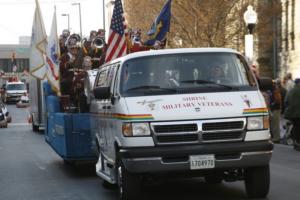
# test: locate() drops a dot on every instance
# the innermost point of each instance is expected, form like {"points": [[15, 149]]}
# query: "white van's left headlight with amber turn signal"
{"points": [[136, 129]]}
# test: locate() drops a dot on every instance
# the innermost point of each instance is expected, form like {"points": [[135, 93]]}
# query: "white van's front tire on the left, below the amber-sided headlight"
{"points": [[129, 184]]}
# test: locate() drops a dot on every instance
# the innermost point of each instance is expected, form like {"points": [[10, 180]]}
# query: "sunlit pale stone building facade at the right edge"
{"points": [[290, 47]]}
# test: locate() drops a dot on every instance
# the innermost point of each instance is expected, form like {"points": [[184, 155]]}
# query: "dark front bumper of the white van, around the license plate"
{"points": [[176, 158]]}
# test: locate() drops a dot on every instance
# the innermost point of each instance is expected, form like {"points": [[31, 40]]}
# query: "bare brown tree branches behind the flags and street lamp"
{"points": [[203, 23]]}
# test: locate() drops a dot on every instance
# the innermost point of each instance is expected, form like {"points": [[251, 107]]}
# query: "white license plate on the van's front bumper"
{"points": [[202, 162]]}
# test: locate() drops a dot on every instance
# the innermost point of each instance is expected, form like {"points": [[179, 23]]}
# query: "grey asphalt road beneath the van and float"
{"points": [[31, 170]]}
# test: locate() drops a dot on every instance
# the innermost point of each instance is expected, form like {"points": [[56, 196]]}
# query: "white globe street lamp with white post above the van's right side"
{"points": [[250, 18]]}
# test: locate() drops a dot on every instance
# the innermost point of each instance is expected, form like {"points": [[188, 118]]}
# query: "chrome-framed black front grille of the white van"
{"points": [[198, 131]]}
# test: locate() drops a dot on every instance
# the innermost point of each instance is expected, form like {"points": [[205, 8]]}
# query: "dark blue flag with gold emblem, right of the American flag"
{"points": [[160, 26]]}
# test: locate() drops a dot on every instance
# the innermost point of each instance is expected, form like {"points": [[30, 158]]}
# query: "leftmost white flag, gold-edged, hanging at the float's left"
{"points": [[38, 45]]}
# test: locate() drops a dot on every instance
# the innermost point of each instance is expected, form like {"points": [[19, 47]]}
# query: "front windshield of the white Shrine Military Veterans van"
{"points": [[185, 73]]}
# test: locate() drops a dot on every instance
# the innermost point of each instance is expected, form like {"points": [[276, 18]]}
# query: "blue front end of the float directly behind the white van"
{"points": [[70, 136]]}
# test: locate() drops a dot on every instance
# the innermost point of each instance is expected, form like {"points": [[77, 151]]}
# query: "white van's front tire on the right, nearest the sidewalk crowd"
{"points": [[257, 181]]}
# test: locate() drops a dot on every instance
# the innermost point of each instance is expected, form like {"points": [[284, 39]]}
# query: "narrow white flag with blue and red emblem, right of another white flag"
{"points": [[52, 57]]}
